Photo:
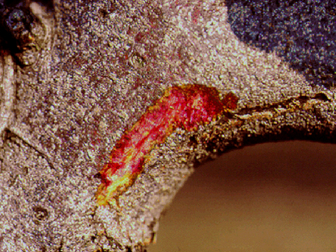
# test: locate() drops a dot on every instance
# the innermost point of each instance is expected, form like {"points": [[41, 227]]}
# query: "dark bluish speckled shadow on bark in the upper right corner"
{"points": [[302, 32]]}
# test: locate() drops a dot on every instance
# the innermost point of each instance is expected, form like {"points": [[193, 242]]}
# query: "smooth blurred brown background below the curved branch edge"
{"points": [[268, 197]]}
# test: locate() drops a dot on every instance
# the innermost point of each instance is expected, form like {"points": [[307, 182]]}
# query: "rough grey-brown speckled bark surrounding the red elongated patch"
{"points": [[103, 64]]}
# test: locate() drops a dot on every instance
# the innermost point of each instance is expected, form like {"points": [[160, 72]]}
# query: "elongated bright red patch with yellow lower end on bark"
{"points": [[186, 106]]}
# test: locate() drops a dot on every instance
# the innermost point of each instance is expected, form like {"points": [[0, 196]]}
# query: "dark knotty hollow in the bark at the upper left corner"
{"points": [[23, 32]]}
